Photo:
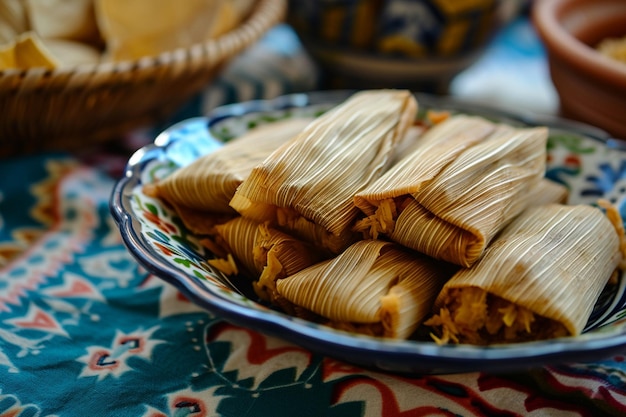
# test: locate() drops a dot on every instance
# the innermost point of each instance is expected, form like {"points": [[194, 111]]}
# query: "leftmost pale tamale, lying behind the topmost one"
{"points": [[208, 183]]}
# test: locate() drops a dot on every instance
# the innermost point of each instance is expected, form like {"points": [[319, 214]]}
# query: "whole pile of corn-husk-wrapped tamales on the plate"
{"points": [[333, 223]]}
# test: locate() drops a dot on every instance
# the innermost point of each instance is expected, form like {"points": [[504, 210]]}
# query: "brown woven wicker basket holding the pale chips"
{"points": [[70, 108]]}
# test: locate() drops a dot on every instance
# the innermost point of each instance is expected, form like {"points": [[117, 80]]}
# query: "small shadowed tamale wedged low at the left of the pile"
{"points": [[264, 253]]}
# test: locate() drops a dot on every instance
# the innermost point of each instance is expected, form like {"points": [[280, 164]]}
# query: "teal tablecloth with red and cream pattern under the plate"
{"points": [[85, 331]]}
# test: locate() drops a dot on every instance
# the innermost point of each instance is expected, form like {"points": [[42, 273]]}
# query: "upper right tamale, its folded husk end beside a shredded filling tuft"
{"points": [[448, 199]]}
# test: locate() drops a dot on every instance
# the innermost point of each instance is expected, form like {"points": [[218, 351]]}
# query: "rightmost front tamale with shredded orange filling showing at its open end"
{"points": [[539, 279]]}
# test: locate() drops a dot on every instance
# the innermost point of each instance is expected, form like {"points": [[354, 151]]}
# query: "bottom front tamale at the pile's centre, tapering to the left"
{"points": [[373, 287]]}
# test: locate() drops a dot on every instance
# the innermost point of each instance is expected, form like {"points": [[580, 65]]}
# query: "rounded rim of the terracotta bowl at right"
{"points": [[546, 16]]}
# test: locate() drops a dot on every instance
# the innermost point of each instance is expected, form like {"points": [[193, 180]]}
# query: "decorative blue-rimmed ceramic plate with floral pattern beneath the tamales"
{"points": [[583, 158]]}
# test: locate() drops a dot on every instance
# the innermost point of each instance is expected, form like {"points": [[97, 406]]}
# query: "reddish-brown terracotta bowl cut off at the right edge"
{"points": [[591, 86]]}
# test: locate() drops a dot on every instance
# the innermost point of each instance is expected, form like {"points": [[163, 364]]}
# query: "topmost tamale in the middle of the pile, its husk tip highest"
{"points": [[307, 186]]}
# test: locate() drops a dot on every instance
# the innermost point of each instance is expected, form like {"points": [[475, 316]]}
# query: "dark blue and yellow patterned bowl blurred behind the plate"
{"points": [[418, 44]]}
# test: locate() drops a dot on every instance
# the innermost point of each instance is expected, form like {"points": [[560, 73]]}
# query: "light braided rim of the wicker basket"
{"points": [[265, 14]]}
